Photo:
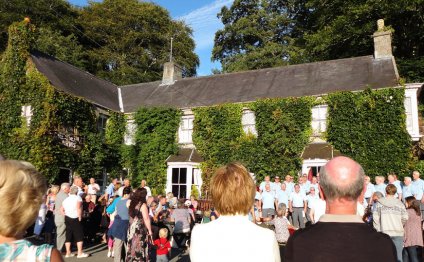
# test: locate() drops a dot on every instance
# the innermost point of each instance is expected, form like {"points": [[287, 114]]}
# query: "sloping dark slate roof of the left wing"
{"points": [[74, 81]]}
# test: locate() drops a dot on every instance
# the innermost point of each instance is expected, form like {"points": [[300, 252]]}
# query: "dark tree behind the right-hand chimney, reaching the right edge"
{"points": [[343, 28]]}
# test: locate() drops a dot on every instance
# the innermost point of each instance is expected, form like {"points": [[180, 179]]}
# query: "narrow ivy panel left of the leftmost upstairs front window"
{"points": [[155, 141]]}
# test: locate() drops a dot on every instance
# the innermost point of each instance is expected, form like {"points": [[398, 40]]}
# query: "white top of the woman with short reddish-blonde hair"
{"points": [[248, 243]]}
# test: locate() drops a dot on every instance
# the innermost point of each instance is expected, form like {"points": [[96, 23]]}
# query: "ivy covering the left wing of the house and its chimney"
{"points": [[53, 113]]}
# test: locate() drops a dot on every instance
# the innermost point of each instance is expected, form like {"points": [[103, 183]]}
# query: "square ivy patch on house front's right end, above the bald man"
{"points": [[370, 127]]}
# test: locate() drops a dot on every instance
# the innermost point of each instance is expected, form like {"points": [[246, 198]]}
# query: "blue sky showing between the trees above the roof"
{"points": [[199, 15]]}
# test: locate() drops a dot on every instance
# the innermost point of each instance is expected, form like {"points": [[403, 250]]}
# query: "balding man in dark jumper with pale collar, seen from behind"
{"points": [[340, 234]]}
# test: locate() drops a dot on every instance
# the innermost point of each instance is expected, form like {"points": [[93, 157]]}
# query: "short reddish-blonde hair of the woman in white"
{"points": [[232, 190]]}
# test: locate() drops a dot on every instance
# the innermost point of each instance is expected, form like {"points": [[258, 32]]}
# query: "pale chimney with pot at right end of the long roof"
{"points": [[382, 41]]}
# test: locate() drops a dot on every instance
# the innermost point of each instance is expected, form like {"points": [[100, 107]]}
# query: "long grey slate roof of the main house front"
{"points": [[318, 78]]}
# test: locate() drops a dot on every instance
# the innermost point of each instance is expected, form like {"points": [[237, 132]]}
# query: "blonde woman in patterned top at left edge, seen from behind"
{"points": [[18, 212]]}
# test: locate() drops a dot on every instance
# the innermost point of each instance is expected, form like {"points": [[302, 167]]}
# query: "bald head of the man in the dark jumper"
{"points": [[342, 178]]}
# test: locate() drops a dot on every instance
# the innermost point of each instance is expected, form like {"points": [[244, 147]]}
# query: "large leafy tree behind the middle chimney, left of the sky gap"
{"points": [[128, 41]]}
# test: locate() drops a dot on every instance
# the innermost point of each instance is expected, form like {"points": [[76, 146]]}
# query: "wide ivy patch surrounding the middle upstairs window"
{"points": [[283, 127]]}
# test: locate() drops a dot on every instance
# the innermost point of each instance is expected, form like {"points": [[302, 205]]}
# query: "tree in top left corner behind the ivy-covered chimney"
{"points": [[54, 21]]}
